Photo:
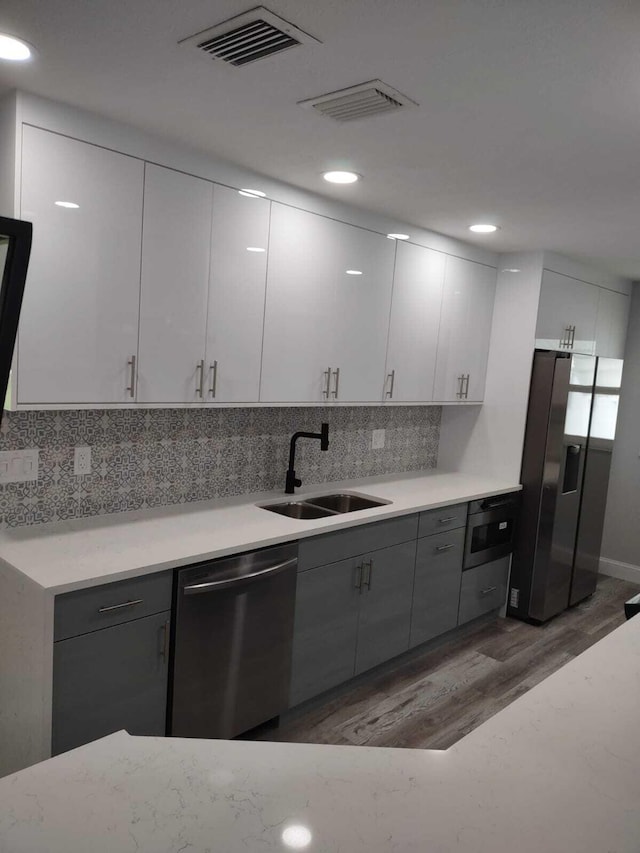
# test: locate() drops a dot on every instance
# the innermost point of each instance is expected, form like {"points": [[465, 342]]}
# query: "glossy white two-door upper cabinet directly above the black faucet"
{"points": [[325, 328]]}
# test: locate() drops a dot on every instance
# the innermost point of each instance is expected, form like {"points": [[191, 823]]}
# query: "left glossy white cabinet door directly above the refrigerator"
{"points": [[566, 314]]}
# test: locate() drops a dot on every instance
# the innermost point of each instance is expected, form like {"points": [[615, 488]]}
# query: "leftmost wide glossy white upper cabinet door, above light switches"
{"points": [[79, 322]]}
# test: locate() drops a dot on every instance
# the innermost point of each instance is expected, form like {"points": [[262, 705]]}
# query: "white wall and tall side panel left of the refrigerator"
{"points": [[488, 439]]}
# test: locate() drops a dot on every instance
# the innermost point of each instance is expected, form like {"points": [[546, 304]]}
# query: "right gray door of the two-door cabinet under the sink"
{"points": [[385, 604]]}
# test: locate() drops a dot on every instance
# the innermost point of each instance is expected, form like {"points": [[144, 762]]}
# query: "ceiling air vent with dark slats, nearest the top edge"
{"points": [[248, 37]]}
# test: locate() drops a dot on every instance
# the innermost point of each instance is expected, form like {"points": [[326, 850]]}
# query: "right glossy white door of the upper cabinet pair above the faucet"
{"points": [[360, 314]]}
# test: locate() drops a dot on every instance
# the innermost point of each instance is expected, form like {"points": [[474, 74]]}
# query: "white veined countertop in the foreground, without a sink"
{"points": [[558, 770]]}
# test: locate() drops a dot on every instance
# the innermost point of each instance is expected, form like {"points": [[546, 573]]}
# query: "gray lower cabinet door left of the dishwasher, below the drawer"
{"points": [[111, 679]]}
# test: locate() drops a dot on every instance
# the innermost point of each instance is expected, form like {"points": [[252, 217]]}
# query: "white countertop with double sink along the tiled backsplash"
{"points": [[86, 552]]}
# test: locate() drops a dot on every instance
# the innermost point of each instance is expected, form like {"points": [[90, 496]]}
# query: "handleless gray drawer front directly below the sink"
{"points": [[357, 540]]}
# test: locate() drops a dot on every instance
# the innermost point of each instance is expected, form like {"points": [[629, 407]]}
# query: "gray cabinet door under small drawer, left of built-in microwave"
{"points": [[436, 590]]}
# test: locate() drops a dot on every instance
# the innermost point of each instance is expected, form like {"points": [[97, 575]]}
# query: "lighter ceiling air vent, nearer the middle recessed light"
{"points": [[356, 102]]}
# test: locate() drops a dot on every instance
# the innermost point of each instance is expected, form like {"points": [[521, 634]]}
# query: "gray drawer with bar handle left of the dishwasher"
{"points": [[110, 604]]}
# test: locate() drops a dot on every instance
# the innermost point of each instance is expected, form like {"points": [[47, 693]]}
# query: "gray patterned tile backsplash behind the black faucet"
{"points": [[155, 457]]}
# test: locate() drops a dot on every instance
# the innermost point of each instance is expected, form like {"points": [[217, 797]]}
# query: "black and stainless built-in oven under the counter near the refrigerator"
{"points": [[491, 527]]}
